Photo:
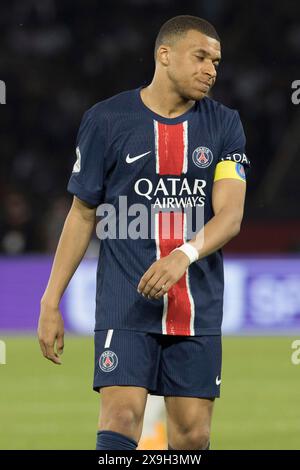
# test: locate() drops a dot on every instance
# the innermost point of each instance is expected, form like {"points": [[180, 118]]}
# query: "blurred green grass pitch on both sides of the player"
{"points": [[43, 406]]}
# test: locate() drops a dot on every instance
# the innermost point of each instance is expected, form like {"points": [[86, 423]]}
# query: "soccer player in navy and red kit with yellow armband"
{"points": [[168, 150]]}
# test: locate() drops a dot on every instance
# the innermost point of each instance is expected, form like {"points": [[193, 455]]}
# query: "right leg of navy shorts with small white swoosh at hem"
{"points": [[191, 367]]}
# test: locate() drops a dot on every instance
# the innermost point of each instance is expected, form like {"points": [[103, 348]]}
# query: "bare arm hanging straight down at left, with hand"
{"points": [[72, 245]]}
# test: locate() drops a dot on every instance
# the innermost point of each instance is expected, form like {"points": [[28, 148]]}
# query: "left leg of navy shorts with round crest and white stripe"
{"points": [[126, 358]]}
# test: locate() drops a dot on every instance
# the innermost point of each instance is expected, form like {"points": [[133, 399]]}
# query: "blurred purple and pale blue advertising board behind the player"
{"points": [[262, 295]]}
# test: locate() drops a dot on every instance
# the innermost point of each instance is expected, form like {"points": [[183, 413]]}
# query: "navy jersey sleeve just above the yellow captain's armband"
{"points": [[234, 142]]}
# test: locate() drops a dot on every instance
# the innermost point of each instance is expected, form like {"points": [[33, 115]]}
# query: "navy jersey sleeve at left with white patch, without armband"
{"points": [[87, 179]]}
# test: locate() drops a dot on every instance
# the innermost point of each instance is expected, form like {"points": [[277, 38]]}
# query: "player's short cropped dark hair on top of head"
{"points": [[178, 26]]}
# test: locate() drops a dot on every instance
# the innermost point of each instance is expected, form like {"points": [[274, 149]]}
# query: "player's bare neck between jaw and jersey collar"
{"points": [[162, 99]]}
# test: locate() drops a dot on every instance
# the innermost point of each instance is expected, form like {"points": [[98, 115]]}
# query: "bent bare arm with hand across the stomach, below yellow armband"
{"points": [[228, 204]]}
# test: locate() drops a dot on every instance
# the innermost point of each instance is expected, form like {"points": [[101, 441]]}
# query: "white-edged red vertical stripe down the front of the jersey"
{"points": [[170, 155]]}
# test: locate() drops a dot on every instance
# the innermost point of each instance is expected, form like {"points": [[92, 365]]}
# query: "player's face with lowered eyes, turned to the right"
{"points": [[193, 62]]}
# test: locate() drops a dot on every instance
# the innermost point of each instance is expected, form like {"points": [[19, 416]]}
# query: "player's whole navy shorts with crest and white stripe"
{"points": [[188, 366]]}
